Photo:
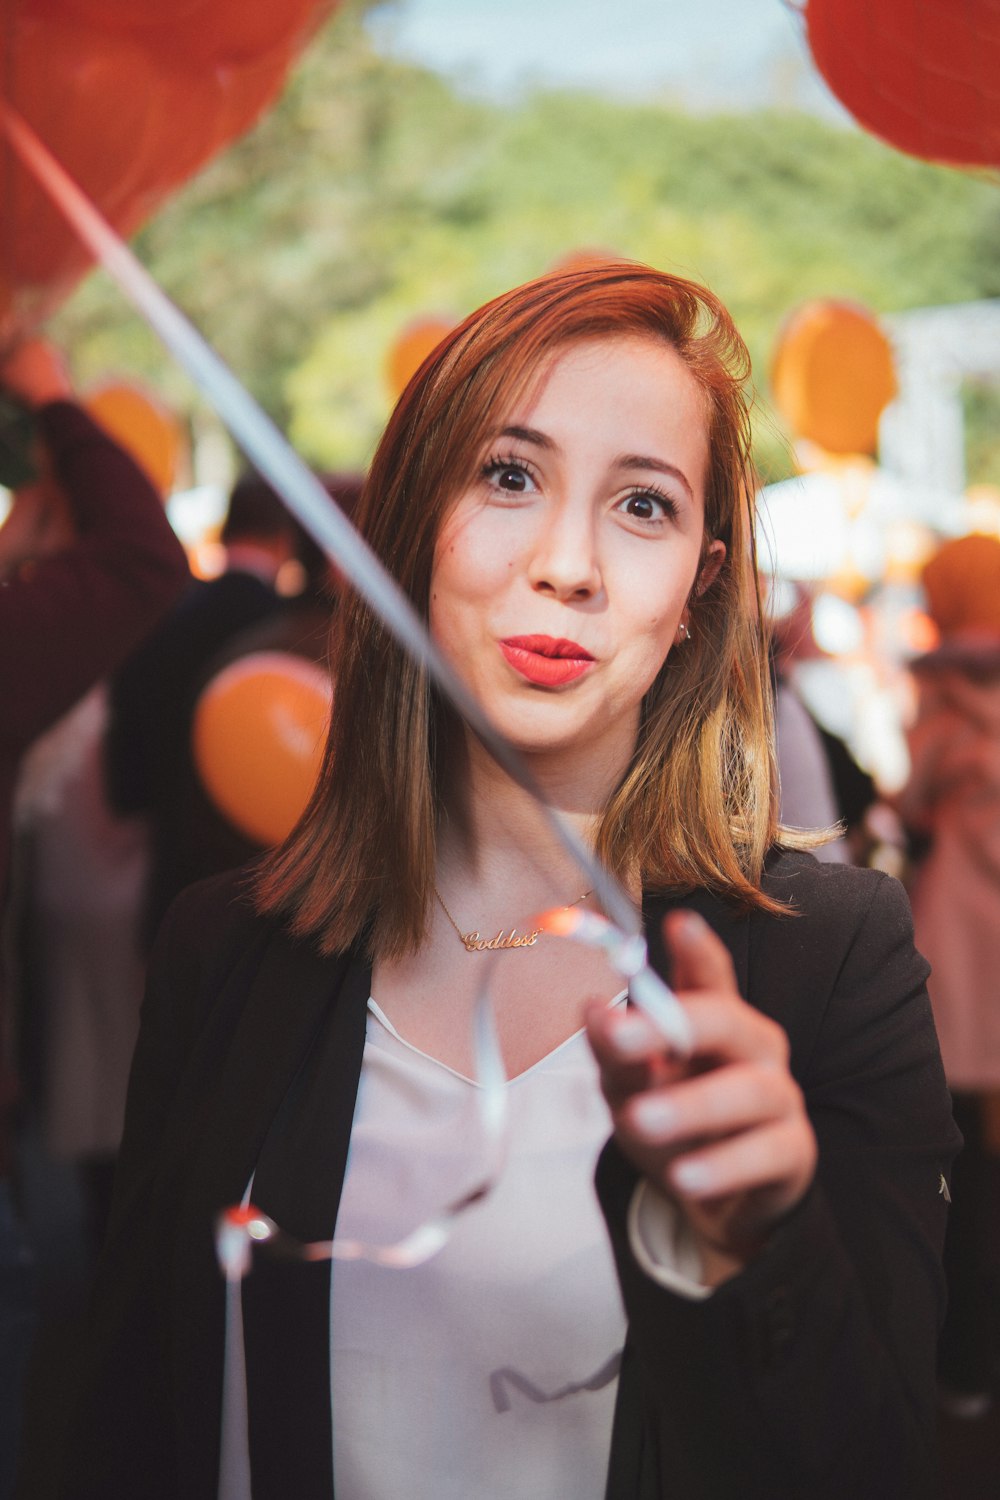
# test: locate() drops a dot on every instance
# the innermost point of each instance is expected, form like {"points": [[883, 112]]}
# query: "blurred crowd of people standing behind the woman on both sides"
{"points": [[110, 644]]}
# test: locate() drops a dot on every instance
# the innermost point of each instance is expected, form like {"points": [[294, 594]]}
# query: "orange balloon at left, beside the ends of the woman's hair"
{"points": [[259, 739]]}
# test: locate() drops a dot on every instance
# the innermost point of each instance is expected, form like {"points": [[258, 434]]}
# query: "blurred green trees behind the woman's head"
{"points": [[376, 193]]}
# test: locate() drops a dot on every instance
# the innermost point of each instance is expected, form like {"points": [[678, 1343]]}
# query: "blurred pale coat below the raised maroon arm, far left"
{"points": [[79, 884]]}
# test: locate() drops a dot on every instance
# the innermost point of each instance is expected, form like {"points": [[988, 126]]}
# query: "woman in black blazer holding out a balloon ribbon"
{"points": [[752, 1309]]}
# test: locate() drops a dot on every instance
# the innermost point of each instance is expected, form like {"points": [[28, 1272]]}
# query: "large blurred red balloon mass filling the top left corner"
{"points": [[131, 97]]}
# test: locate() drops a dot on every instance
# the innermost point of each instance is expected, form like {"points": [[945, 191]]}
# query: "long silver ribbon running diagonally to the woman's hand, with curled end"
{"points": [[239, 1231]]}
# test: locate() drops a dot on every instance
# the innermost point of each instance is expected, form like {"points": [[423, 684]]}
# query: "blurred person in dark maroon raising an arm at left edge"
{"points": [[88, 566]]}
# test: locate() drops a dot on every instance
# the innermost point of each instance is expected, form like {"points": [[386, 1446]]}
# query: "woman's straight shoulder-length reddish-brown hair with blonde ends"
{"points": [[698, 806]]}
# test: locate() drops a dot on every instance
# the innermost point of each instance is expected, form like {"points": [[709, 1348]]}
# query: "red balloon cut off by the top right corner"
{"points": [[921, 74]]}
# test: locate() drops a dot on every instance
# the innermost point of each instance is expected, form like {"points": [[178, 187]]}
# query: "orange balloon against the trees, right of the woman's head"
{"points": [[833, 376]]}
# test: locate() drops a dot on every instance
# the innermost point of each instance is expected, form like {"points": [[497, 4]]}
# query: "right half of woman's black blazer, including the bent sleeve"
{"points": [[812, 1375]]}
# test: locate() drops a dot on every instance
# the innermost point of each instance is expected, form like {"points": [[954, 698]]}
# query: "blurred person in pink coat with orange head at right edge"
{"points": [[951, 806]]}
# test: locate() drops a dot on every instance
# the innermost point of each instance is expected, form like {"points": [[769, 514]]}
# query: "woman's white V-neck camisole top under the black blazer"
{"points": [[491, 1370]]}
